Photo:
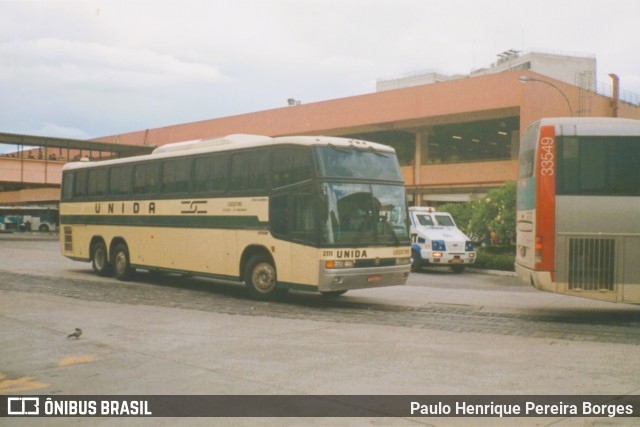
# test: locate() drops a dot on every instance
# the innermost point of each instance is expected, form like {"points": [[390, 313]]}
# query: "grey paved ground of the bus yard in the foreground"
{"points": [[442, 334]]}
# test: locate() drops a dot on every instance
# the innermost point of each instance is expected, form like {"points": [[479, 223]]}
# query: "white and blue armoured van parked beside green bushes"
{"points": [[436, 241]]}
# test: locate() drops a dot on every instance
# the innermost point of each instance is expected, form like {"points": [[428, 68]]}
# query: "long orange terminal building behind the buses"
{"points": [[457, 136]]}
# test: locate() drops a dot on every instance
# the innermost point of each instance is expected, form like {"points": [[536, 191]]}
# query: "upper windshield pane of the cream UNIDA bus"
{"points": [[348, 162]]}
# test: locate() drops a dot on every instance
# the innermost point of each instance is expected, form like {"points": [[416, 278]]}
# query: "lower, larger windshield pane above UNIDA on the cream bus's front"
{"points": [[365, 214]]}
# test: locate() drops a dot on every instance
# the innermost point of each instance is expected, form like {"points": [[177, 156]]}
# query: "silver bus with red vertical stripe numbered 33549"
{"points": [[578, 217]]}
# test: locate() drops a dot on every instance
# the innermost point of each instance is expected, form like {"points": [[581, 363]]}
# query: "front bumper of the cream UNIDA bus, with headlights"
{"points": [[342, 279]]}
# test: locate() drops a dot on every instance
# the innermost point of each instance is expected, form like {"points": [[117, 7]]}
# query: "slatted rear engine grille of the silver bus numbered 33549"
{"points": [[592, 264]]}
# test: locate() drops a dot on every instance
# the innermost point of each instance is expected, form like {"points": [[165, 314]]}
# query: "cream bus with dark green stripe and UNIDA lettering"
{"points": [[320, 214]]}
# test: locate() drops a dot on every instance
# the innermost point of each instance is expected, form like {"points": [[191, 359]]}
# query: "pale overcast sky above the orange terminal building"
{"points": [[85, 69]]}
